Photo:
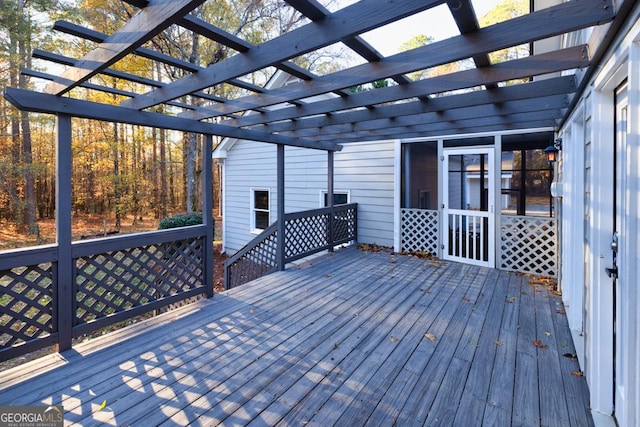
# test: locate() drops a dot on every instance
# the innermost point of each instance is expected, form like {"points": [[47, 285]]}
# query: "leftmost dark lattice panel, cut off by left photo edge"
{"points": [[26, 304]]}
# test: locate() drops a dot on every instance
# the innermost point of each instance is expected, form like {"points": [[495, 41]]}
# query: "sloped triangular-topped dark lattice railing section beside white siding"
{"points": [[256, 262]]}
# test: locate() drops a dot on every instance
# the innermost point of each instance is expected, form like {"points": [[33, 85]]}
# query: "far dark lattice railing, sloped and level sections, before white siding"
{"points": [[306, 233]]}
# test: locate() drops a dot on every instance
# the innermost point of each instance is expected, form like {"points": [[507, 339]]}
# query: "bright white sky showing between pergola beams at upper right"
{"points": [[389, 38]]}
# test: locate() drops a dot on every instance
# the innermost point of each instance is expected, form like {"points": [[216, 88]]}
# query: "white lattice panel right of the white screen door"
{"points": [[529, 245]]}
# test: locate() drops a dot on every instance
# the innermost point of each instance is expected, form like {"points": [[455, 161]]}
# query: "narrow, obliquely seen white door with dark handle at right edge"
{"points": [[621, 335]]}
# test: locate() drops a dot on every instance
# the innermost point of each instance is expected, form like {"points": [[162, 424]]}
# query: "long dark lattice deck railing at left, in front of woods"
{"points": [[112, 280]]}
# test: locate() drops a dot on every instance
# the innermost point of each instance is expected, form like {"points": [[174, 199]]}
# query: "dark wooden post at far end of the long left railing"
{"points": [[207, 212]]}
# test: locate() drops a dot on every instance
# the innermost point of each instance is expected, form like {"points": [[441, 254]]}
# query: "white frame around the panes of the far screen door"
{"points": [[490, 213]]}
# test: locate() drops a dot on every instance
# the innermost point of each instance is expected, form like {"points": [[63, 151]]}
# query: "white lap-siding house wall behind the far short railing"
{"points": [[364, 170]]}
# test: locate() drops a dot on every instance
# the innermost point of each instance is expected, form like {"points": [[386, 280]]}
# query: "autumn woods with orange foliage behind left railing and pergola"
{"points": [[121, 173]]}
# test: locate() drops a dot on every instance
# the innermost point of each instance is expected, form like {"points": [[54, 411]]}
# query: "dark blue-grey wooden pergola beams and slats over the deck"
{"points": [[319, 111]]}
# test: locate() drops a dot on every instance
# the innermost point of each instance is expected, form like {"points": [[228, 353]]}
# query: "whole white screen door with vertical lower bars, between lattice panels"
{"points": [[468, 211]]}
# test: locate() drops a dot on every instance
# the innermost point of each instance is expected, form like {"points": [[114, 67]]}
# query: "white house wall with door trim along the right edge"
{"points": [[587, 225]]}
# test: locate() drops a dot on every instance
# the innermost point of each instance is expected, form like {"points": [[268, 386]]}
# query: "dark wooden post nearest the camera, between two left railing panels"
{"points": [[65, 281]]}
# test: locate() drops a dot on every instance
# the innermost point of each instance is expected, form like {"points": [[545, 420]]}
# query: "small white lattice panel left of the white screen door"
{"points": [[420, 229]]}
